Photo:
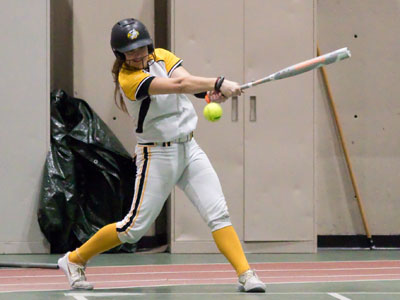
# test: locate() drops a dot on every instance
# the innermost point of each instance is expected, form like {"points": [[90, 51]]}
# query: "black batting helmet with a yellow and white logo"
{"points": [[129, 34]]}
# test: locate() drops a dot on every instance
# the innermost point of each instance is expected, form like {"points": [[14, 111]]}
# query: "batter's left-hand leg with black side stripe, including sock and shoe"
{"points": [[154, 181]]}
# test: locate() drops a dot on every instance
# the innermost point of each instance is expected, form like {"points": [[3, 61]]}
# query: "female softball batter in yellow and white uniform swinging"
{"points": [[152, 85]]}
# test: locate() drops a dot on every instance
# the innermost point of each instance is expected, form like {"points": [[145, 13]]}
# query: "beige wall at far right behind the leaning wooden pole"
{"points": [[366, 93]]}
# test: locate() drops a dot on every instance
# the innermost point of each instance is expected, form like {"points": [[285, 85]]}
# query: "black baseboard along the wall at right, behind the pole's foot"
{"points": [[359, 241]]}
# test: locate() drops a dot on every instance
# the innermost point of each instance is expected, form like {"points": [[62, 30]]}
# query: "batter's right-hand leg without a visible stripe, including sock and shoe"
{"points": [[201, 184]]}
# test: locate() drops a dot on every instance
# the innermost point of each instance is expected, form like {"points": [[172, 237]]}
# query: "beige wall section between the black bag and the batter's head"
{"points": [[93, 58]]}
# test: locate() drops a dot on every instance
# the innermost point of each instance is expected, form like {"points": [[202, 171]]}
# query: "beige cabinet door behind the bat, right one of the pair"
{"points": [[278, 128]]}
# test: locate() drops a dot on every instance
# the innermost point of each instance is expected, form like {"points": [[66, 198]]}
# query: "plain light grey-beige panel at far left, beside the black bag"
{"points": [[24, 121]]}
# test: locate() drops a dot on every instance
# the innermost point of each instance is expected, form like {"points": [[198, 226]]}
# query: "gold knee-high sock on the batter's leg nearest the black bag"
{"points": [[104, 239]]}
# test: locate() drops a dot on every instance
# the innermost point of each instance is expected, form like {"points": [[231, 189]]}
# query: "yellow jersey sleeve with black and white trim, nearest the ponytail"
{"points": [[134, 84]]}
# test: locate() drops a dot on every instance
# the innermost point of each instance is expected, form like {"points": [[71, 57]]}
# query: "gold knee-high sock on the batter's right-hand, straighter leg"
{"points": [[229, 244]]}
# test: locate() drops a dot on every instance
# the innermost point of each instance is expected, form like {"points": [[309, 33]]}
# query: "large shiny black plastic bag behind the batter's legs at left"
{"points": [[88, 181]]}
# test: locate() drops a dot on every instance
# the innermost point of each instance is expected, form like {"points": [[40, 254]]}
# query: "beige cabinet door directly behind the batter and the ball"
{"points": [[199, 38]]}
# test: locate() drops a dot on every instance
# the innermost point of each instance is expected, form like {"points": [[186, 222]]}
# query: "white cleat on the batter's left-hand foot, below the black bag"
{"points": [[75, 274]]}
